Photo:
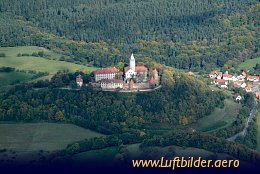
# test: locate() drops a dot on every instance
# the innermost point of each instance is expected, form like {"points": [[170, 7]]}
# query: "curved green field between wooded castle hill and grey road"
{"points": [[220, 118]]}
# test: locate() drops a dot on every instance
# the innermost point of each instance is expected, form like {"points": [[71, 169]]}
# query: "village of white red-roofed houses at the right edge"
{"points": [[243, 80]]}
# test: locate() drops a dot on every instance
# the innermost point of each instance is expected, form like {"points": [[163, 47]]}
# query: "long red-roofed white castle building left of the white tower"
{"points": [[106, 73]]}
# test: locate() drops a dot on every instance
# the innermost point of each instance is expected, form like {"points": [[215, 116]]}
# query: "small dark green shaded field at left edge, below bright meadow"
{"points": [[10, 77]]}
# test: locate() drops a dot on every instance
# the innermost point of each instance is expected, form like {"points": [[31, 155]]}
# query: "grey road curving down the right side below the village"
{"points": [[249, 120]]}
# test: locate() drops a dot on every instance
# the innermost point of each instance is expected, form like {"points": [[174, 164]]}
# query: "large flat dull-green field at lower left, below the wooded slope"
{"points": [[41, 136]]}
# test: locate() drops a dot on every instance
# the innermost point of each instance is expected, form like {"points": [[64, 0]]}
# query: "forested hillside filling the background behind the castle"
{"points": [[181, 33]]}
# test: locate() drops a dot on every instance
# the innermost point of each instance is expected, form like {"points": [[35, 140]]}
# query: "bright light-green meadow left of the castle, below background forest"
{"points": [[38, 64]]}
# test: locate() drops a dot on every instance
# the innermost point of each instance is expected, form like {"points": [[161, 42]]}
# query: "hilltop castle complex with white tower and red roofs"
{"points": [[133, 77]]}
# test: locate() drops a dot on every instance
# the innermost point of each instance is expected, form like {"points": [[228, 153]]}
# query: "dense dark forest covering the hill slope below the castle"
{"points": [[109, 112]]}
